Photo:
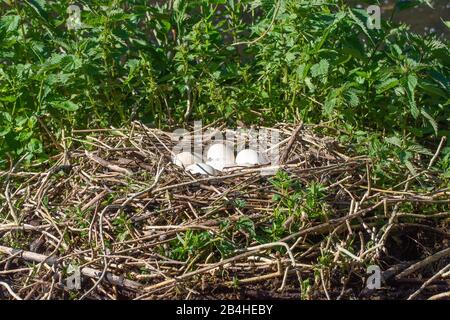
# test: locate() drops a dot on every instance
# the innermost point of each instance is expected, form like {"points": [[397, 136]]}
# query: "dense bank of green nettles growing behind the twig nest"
{"points": [[254, 61]]}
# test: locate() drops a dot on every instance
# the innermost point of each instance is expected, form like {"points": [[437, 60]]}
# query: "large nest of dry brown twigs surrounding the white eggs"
{"points": [[118, 212]]}
